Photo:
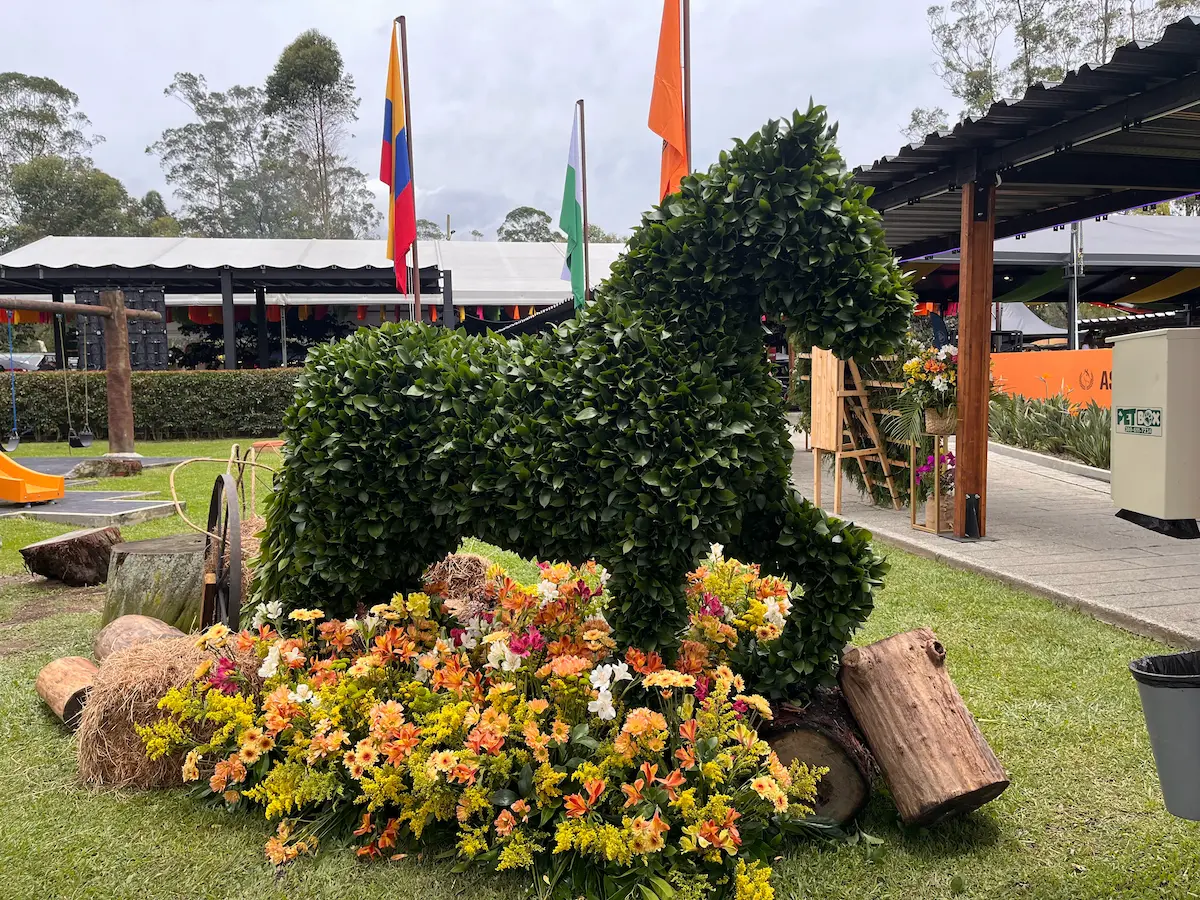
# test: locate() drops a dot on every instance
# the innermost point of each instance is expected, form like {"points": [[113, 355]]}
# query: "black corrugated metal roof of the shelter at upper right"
{"points": [[1107, 139]]}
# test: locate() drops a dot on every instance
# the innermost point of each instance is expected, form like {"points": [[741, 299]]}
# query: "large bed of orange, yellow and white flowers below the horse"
{"points": [[512, 729]]}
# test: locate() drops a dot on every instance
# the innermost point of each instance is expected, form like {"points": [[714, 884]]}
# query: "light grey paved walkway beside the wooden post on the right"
{"points": [[1055, 535]]}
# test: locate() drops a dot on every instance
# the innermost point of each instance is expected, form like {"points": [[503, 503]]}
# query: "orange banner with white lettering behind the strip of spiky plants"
{"points": [[1083, 376]]}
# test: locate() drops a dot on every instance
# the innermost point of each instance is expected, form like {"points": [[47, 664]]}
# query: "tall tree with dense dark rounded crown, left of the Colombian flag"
{"points": [[311, 92]]}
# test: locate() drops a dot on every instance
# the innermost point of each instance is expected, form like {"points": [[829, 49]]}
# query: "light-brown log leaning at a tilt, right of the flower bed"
{"points": [[931, 751]]}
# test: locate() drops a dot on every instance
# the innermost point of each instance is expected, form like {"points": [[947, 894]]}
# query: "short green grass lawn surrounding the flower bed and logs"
{"points": [[1083, 819]]}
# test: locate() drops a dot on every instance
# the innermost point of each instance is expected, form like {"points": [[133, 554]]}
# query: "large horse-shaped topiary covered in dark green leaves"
{"points": [[638, 435]]}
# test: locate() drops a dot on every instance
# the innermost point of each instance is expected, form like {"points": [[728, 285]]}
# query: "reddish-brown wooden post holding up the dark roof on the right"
{"points": [[975, 355]]}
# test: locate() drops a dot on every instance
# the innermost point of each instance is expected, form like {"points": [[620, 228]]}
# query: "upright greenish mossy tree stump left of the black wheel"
{"points": [[161, 578]]}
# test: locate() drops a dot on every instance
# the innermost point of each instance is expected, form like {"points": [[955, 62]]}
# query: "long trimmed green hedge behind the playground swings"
{"points": [[166, 405]]}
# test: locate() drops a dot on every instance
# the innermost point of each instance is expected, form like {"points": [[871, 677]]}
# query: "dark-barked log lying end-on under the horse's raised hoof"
{"points": [[824, 734]]}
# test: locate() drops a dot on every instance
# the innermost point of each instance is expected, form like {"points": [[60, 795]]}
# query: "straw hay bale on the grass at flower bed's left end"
{"points": [[129, 687]]}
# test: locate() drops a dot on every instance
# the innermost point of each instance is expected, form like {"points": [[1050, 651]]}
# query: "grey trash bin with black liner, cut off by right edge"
{"points": [[1171, 700]]}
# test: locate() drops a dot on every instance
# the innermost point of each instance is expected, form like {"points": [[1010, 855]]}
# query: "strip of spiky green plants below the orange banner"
{"points": [[1054, 427]]}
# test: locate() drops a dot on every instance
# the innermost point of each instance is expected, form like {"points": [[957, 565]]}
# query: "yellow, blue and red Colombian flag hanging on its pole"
{"points": [[395, 172]]}
